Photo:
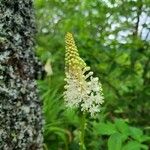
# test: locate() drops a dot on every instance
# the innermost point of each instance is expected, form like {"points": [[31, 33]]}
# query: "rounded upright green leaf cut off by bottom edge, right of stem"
{"points": [[115, 141]]}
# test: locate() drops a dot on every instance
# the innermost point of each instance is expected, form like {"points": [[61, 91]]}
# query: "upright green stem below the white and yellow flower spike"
{"points": [[83, 122]]}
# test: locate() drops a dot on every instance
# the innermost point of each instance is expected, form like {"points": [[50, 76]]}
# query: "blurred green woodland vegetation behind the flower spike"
{"points": [[113, 38]]}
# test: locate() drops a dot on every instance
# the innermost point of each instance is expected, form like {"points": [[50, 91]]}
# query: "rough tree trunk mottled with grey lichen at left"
{"points": [[20, 108]]}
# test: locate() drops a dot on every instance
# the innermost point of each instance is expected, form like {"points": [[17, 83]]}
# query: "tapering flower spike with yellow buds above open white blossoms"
{"points": [[82, 90]]}
